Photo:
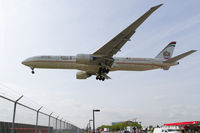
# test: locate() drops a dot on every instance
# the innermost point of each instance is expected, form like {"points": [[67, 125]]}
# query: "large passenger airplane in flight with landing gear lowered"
{"points": [[101, 62]]}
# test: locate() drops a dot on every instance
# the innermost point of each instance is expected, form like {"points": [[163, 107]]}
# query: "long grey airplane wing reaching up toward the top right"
{"points": [[114, 45]]}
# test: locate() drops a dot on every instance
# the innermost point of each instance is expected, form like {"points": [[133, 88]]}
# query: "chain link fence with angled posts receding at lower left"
{"points": [[20, 118]]}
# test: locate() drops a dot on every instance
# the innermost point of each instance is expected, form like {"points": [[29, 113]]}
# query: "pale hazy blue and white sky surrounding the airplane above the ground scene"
{"points": [[68, 27]]}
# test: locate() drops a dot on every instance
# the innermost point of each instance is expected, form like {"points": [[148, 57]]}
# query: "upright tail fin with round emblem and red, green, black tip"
{"points": [[167, 52]]}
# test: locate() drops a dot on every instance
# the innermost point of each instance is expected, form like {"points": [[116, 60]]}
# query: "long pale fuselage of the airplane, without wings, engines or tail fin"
{"points": [[69, 62]]}
